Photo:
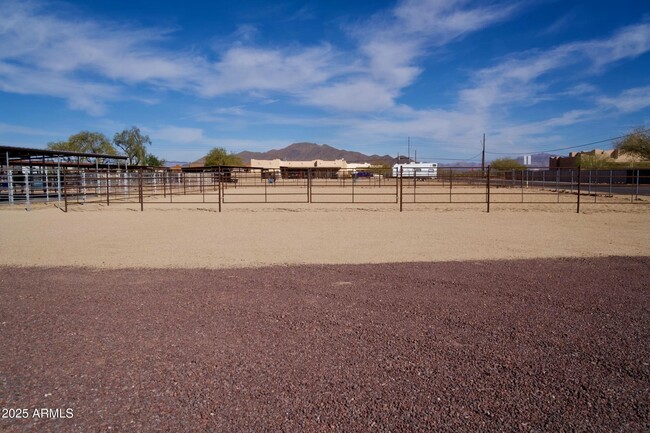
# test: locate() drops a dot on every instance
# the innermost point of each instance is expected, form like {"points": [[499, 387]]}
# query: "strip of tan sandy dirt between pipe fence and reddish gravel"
{"points": [[197, 236]]}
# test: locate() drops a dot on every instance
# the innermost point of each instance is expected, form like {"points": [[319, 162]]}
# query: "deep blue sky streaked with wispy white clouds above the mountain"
{"points": [[257, 75]]}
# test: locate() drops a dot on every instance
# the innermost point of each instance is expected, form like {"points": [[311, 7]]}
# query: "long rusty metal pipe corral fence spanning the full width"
{"points": [[223, 186]]}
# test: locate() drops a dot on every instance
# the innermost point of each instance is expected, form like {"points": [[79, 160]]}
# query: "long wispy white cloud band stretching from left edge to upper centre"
{"points": [[90, 63]]}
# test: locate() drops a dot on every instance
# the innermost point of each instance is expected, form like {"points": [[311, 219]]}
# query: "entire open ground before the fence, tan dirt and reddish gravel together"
{"points": [[314, 317]]}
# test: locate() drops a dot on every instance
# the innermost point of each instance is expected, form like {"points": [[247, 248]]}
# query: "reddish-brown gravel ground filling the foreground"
{"points": [[529, 345]]}
